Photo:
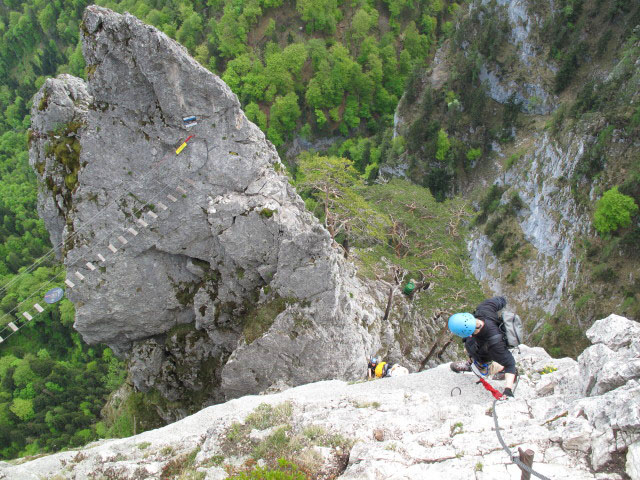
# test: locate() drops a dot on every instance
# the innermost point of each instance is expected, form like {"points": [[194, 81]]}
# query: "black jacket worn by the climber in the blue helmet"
{"points": [[487, 345]]}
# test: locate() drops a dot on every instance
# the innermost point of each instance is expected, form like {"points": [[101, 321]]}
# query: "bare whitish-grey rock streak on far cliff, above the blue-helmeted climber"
{"points": [[550, 223]]}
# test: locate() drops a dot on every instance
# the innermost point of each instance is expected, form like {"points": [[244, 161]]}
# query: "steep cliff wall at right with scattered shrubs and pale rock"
{"points": [[539, 128]]}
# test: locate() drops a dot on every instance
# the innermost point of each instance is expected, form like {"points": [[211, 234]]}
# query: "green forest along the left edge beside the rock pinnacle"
{"points": [[52, 385]]}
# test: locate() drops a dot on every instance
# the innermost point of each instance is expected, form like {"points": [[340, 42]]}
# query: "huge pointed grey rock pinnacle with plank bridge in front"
{"points": [[213, 239]]}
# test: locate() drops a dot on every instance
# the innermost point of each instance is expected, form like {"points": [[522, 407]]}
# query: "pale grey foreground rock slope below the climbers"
{"points": [[412, 427]]}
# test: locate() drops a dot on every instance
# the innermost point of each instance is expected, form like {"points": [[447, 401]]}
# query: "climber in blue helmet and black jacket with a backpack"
{"points": [[484, 341]]}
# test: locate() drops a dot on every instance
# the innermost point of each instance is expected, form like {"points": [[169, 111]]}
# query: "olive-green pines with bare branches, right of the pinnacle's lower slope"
{"points": [[426, 240]]}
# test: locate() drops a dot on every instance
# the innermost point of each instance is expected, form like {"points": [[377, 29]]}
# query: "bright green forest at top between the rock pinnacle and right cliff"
{"points": [[308, 67]]}
